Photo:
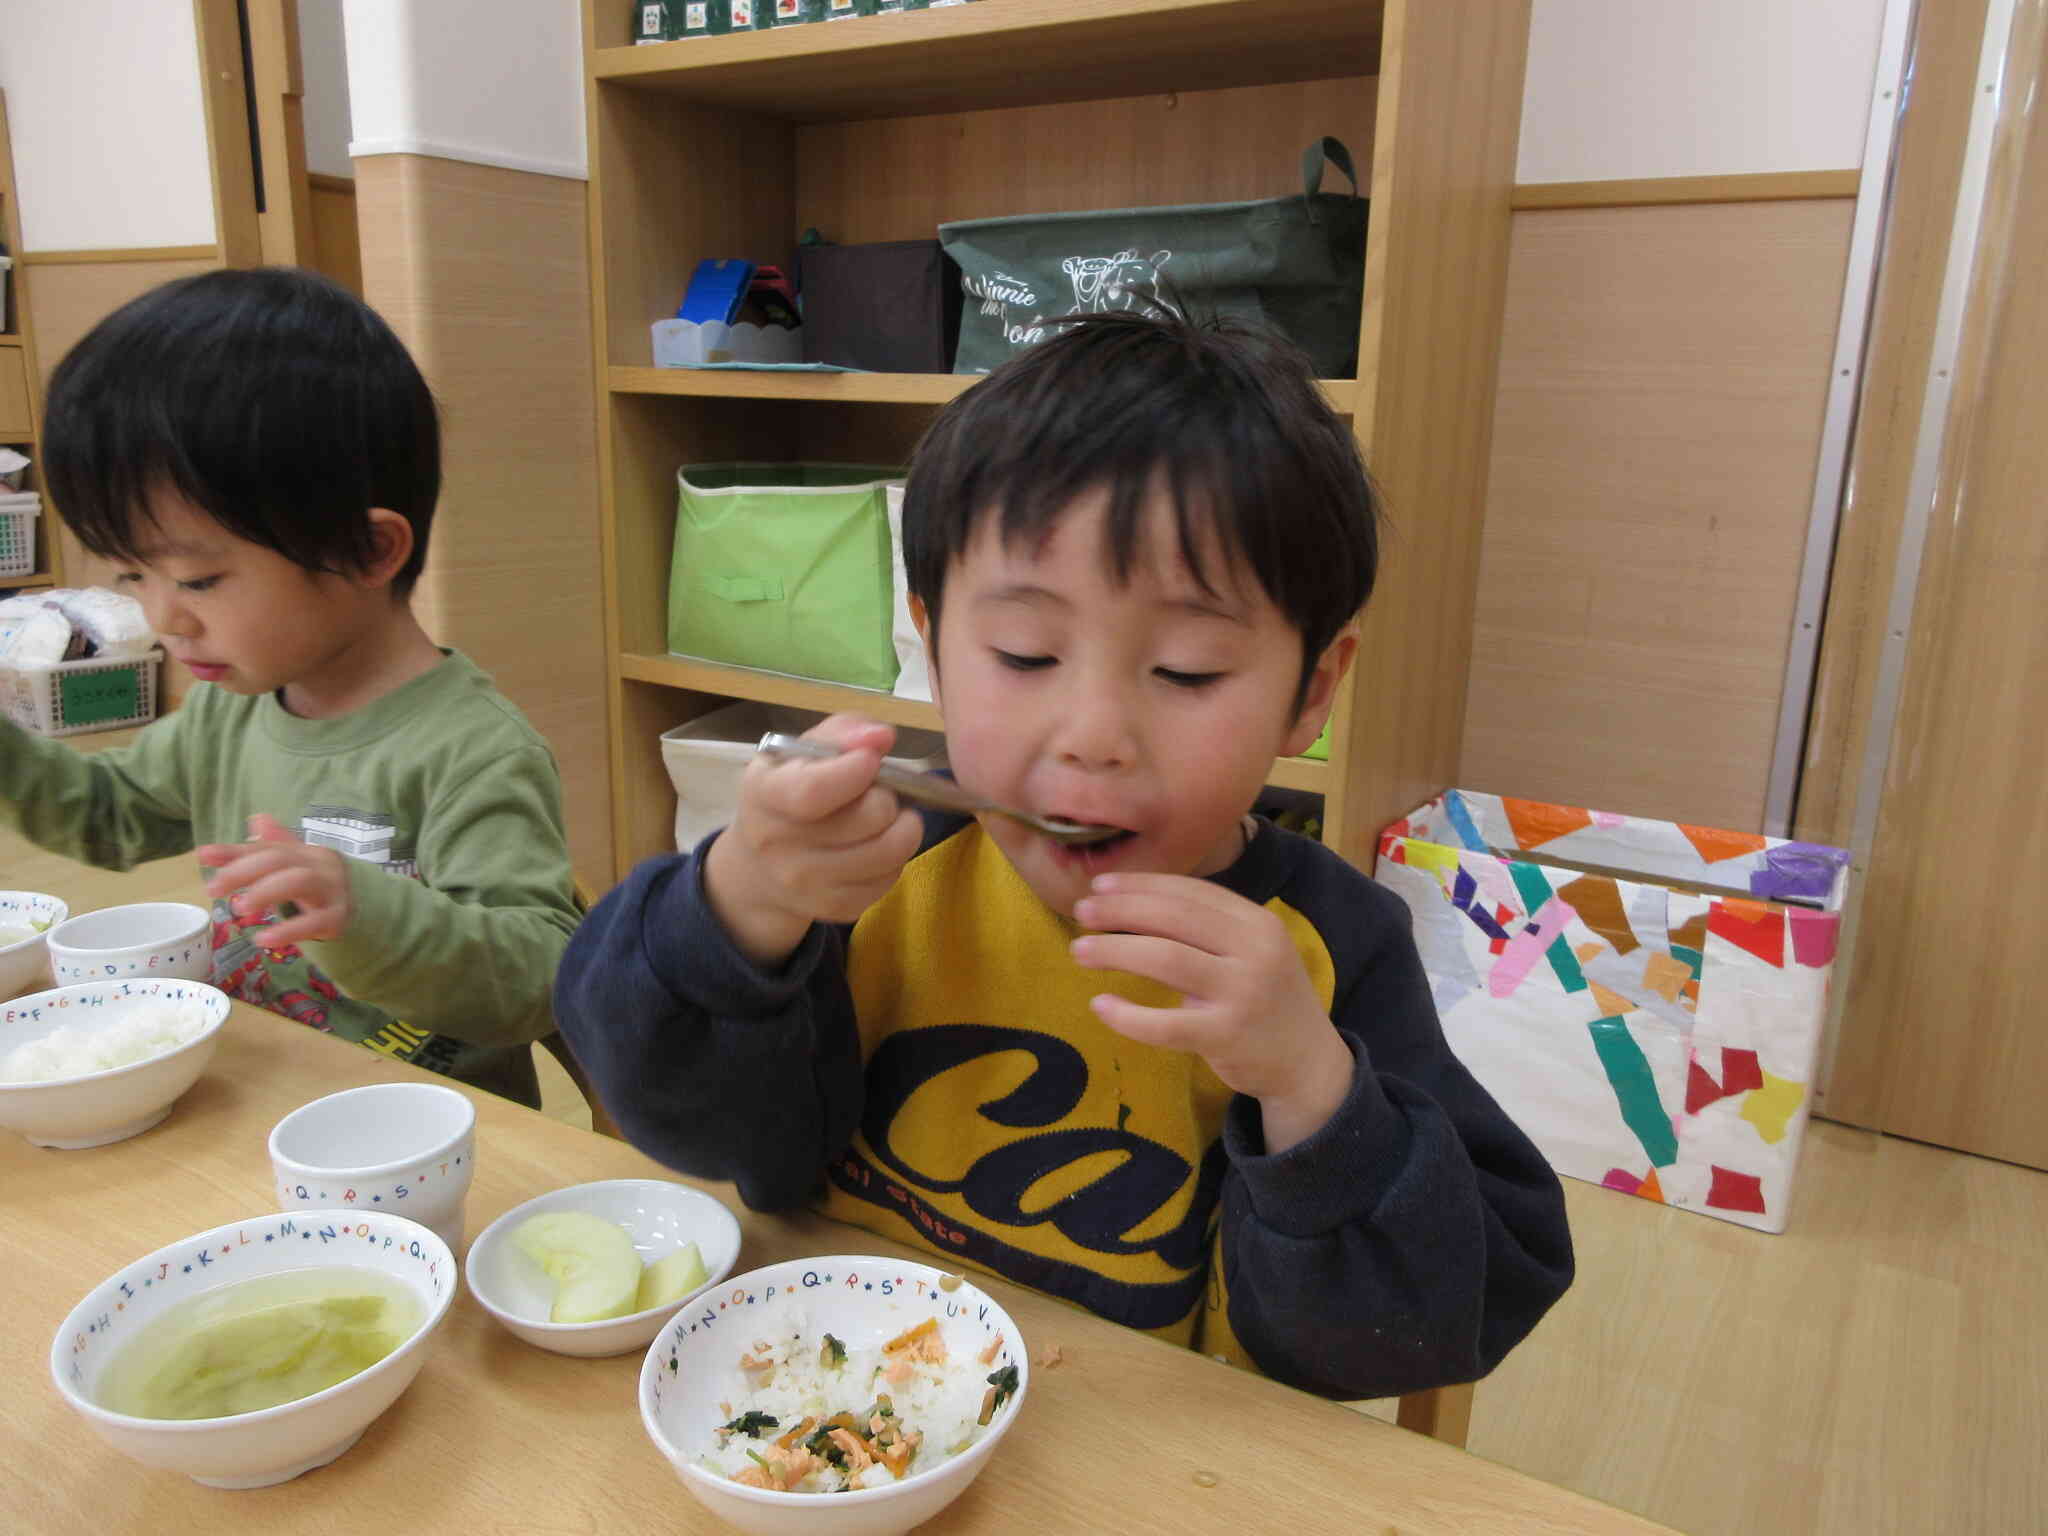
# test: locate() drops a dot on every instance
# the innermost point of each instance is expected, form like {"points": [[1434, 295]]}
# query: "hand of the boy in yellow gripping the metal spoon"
{"points": [[814, 841]]}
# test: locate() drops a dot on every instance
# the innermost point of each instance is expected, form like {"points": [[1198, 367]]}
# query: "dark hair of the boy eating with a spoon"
{"points": [[1226, 419]]}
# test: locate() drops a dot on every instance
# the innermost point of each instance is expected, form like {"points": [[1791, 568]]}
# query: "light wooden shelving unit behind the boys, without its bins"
{"points": [[886, 126]]}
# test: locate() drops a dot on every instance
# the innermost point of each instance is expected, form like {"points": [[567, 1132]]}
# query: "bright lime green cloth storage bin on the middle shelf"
{"points": [[785, 568]]}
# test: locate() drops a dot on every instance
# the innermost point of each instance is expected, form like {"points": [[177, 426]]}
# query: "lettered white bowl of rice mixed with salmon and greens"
{"points": [[849, 1396]]}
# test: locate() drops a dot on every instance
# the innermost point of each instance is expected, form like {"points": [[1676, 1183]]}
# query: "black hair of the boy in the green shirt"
{"points": [[273, 400]]}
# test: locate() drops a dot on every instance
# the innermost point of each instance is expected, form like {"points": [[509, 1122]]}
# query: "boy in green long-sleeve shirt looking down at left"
{"points": [[382, 828]]}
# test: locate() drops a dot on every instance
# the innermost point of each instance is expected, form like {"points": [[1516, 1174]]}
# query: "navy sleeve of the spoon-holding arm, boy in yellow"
{"points": [[710, 1064]]}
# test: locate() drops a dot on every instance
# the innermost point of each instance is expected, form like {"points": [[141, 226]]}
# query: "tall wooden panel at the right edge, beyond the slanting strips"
{"points": [[1943, 988]]}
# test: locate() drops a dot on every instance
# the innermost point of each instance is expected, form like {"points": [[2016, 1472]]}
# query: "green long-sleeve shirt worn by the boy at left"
{"points": [[447, 808]]}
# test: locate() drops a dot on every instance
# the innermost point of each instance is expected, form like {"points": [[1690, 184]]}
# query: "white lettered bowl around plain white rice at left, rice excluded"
{"points": [[101, 1107]]}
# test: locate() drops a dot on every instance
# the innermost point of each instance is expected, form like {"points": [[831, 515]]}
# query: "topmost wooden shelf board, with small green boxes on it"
{"points": [[1005, 54]]}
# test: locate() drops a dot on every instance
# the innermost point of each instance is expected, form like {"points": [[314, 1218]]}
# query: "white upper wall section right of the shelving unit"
{"points": [[1625, 89]]}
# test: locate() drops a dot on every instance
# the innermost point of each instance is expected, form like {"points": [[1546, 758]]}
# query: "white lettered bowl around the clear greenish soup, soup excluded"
{"points": [[251, 1451]]}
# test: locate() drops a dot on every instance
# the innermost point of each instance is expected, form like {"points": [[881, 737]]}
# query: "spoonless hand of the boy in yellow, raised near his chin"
{"points": [[1248, 1007]]}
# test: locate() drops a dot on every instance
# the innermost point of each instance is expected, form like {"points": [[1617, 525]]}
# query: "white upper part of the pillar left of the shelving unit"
{"points": [[499, 83]]}
